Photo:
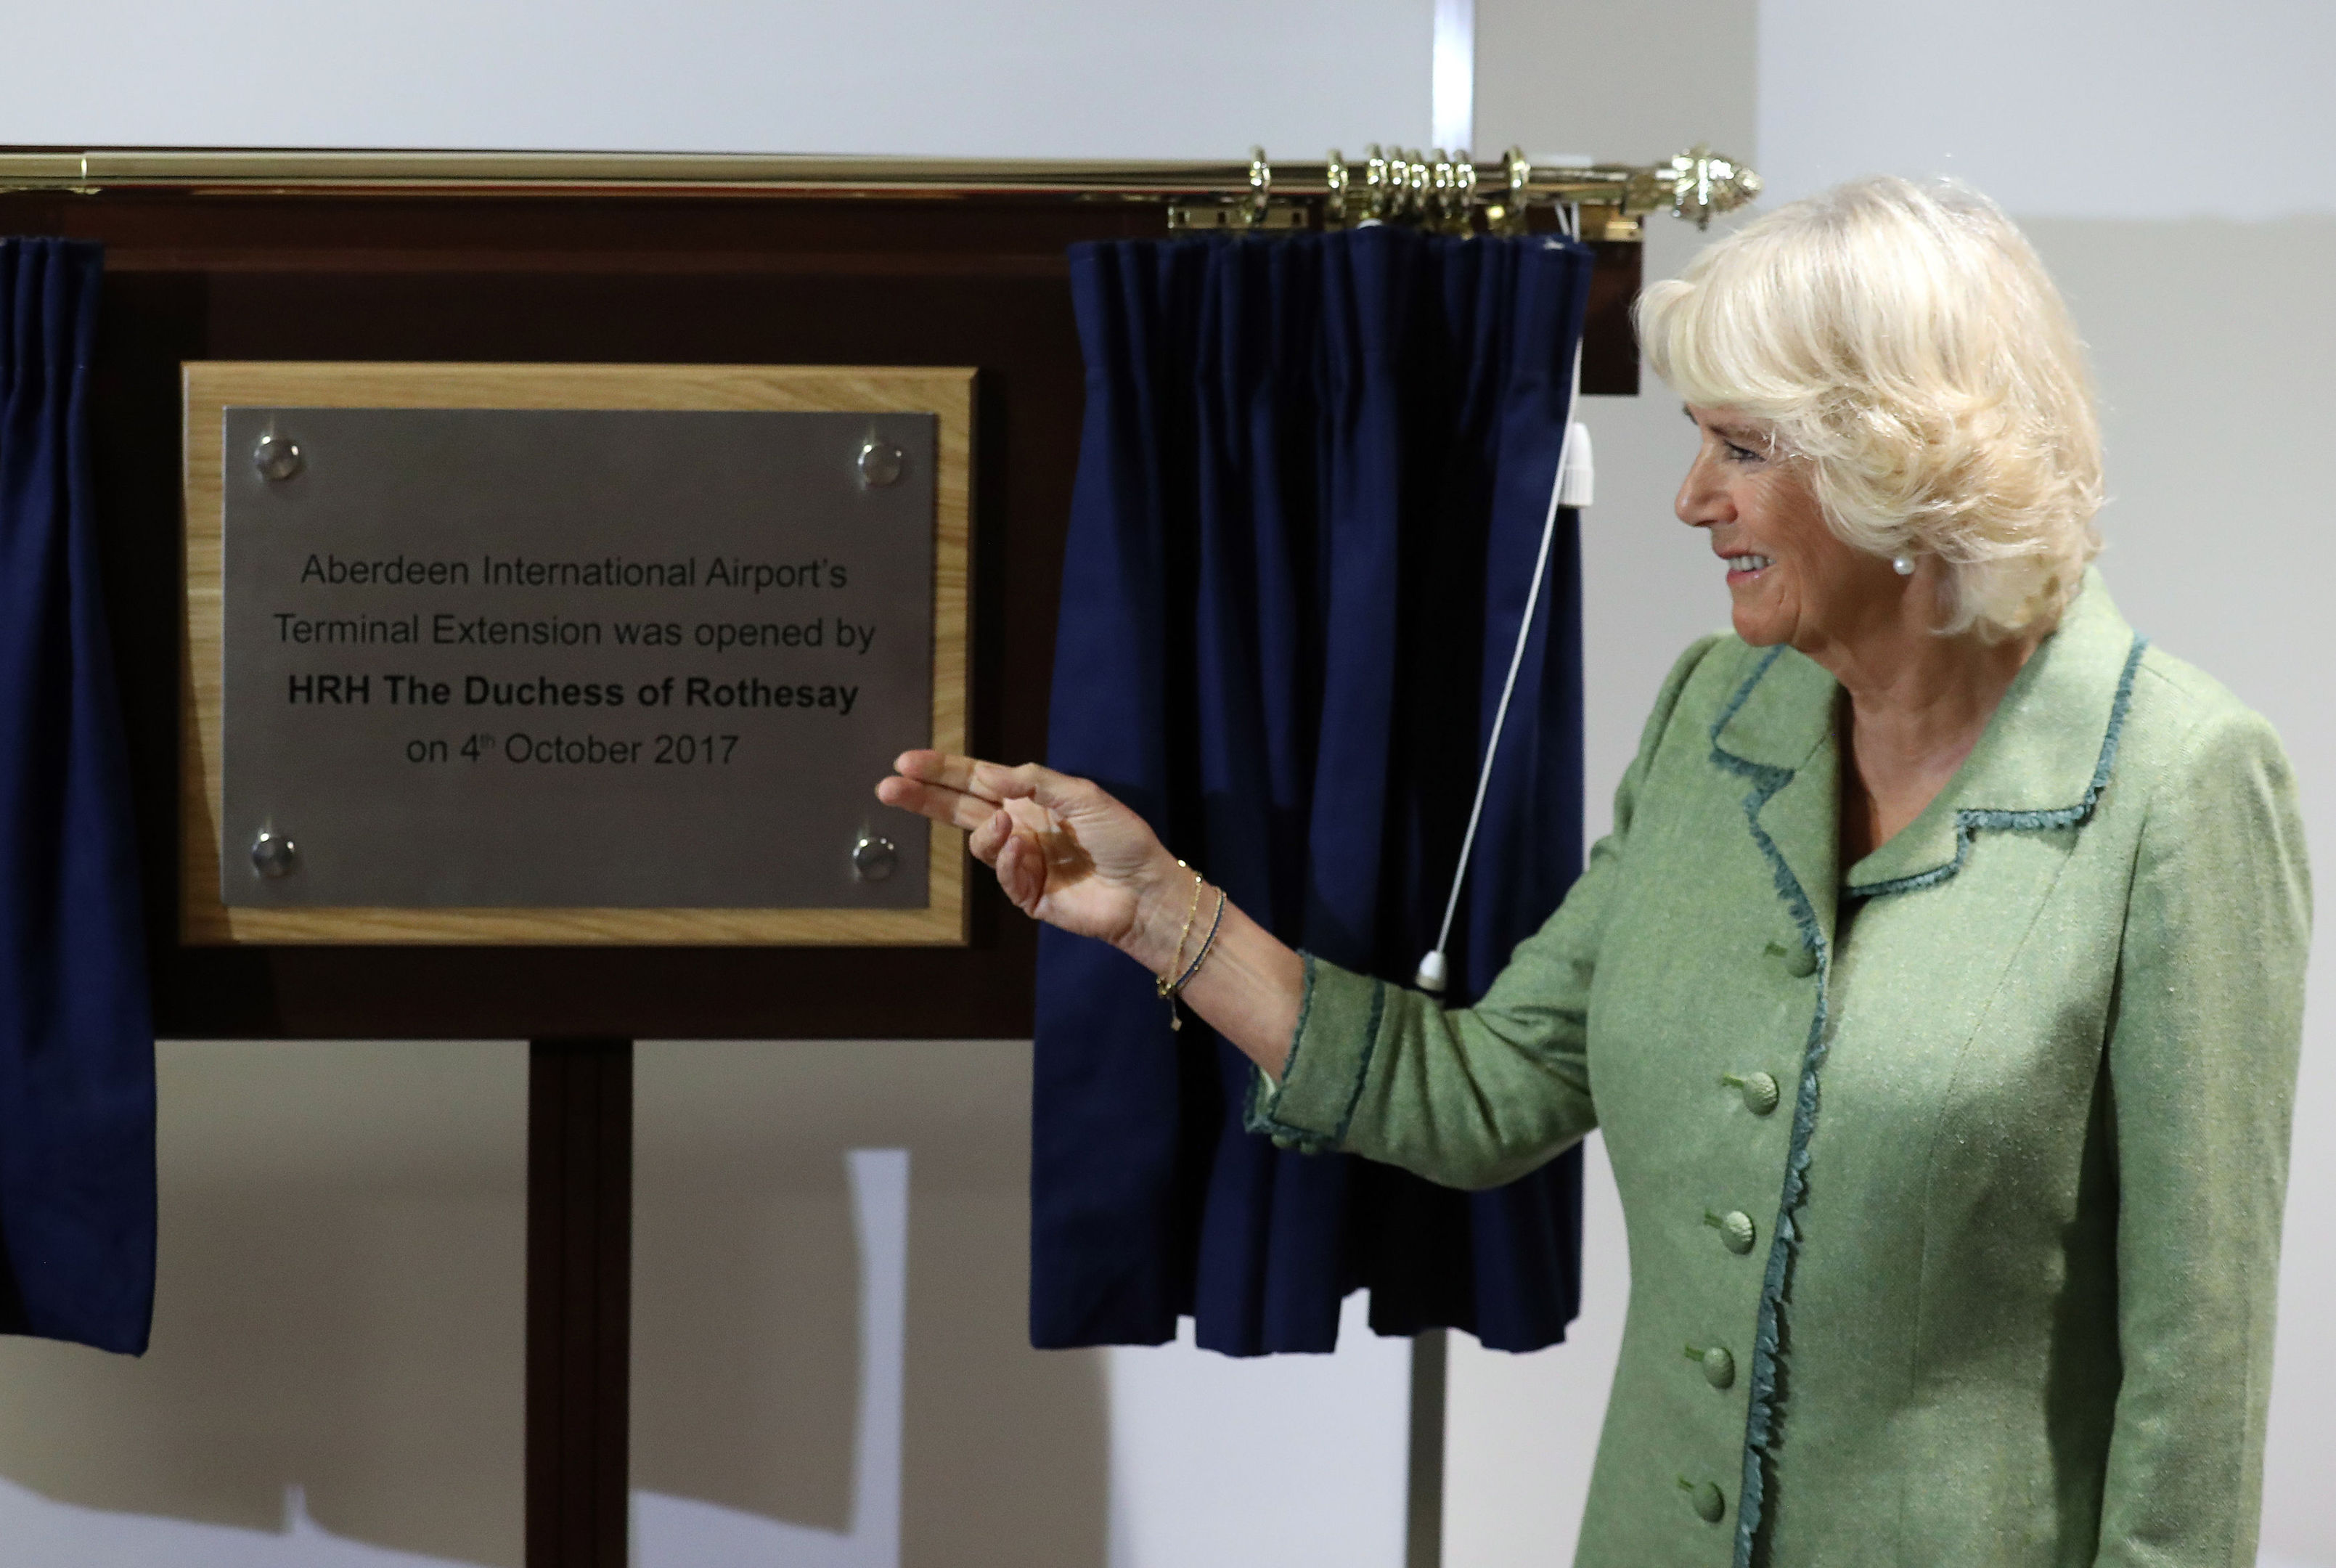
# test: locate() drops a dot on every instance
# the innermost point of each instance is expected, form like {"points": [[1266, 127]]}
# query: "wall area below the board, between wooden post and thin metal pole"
{"points": [[830, 1268]]}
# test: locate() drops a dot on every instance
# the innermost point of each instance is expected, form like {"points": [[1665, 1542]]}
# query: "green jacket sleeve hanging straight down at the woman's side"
{"points": [[2202, 1085]]}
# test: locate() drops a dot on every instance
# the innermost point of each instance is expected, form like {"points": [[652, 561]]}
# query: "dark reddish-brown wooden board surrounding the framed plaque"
{"points": [[611, 279]]}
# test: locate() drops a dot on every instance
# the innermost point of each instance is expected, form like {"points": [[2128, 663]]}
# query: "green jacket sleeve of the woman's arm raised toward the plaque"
{"points": [[1468, 1097]]}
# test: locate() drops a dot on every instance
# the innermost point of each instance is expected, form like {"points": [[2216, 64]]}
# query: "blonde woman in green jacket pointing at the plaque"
{"points": [[1938, 990]]}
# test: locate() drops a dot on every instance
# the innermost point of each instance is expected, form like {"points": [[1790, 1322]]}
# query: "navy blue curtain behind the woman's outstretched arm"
{"points": [[1312, 490]]}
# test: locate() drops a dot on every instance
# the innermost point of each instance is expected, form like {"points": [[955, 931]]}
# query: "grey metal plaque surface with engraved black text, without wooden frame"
{"points": [[482, 658]]}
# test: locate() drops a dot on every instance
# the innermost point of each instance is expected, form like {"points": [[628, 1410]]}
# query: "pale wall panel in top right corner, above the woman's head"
{"points": [[2057, 109]]}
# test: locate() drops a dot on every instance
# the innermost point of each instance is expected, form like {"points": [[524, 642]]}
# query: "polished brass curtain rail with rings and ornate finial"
{"points": [[1398, 186]]}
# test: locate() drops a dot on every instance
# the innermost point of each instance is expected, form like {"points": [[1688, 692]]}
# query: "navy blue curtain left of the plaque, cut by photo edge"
{"points": [[76, 1036]]}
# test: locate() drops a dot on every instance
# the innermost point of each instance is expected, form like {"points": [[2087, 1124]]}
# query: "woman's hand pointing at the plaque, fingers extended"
{"points": [[1064, 849]]}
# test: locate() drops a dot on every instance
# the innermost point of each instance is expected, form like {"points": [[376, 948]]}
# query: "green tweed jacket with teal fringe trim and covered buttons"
{"points": [[1954, 1179]]}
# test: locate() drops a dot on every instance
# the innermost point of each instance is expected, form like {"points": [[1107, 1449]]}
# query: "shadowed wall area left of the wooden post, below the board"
{"points": [[338, 1368]]}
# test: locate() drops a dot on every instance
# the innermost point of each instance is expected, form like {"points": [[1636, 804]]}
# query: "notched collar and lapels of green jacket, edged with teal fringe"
{"points": [[2043, 761]]}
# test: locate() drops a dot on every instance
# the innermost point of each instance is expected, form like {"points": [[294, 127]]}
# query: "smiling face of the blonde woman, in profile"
{"points": [[1791, 578]]}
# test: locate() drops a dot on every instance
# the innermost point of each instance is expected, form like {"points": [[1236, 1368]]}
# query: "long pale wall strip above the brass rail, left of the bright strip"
{"points": [[1006, 78]]}
